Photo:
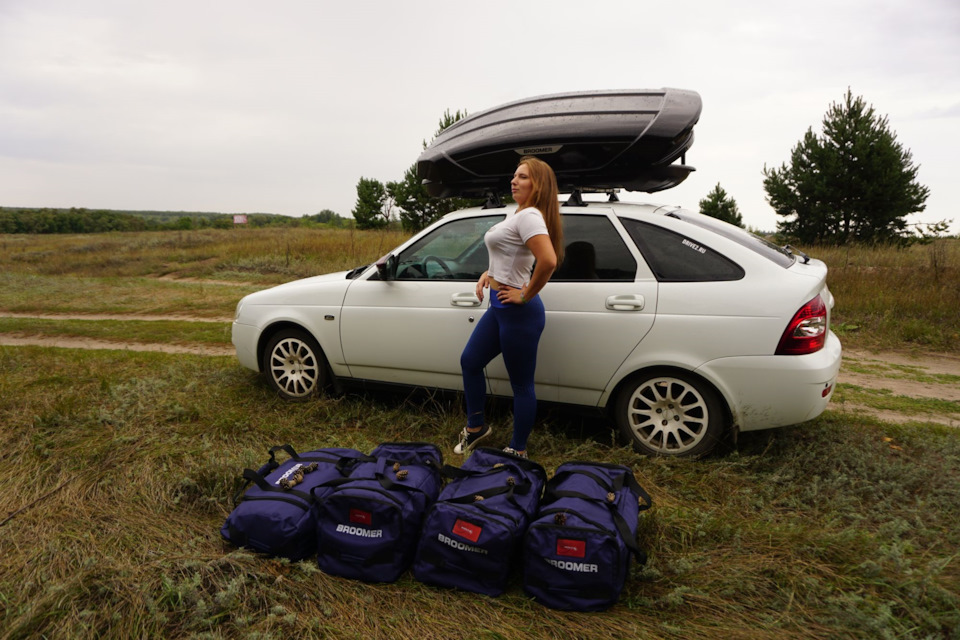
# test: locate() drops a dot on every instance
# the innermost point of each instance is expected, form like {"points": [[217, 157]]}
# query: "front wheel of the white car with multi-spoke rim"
{"points": [[295, 365]]}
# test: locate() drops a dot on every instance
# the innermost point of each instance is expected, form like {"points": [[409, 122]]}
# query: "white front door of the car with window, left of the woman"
{"points": [[412, 329]]}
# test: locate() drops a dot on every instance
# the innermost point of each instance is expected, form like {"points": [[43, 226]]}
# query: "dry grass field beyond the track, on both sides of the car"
{"points": [[886, 297]]}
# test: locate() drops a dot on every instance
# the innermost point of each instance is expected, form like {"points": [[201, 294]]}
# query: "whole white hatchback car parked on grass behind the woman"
{"points": [[680, 326]]}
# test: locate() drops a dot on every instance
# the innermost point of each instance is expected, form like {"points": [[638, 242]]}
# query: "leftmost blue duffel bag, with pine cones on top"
{"points": [[274, 515]]}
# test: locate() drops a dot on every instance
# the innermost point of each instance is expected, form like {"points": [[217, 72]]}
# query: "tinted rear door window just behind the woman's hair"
{"points": [[594, 250]]}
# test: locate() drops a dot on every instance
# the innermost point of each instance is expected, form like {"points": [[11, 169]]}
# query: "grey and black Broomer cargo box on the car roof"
{"points": [[627, 139]]}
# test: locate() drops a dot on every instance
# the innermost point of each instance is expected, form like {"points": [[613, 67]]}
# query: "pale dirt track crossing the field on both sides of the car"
{"points": [[897, 372]]}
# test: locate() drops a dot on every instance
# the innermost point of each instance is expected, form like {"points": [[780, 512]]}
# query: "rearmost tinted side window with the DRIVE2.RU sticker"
{"points": [[676, 258]]}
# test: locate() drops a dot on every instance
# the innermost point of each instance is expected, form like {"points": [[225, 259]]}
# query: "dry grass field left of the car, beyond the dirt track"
{"points": [[200, 273]]}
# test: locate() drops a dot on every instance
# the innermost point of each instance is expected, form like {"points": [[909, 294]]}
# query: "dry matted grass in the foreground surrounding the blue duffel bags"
{"points": [[120, 467]]}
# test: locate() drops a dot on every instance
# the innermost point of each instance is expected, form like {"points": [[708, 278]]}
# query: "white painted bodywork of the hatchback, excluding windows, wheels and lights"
{"points": [[599, 333]]}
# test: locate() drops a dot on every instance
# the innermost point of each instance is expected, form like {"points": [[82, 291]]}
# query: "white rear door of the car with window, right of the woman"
{"points": [[600, 303]]}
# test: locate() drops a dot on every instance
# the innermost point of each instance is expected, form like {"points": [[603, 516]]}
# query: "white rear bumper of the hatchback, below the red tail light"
{"points": [[764, 392]]}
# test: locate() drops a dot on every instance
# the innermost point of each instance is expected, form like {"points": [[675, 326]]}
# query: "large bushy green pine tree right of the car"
{"points": [[854, 182]]}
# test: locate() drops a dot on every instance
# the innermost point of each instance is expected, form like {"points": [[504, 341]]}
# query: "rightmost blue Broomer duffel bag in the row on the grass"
{"points": [[577, 552]]}
